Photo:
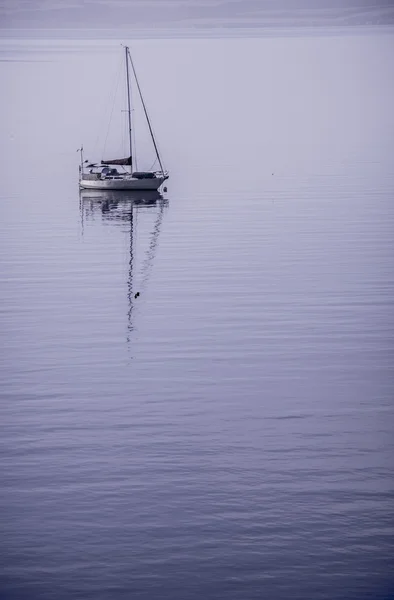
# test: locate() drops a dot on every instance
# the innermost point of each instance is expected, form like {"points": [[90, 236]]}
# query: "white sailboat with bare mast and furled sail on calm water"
{"points": [[106, 175]]}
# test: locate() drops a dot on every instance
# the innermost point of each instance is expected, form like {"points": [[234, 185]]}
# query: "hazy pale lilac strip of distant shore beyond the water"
{"points": [[162, 14]]}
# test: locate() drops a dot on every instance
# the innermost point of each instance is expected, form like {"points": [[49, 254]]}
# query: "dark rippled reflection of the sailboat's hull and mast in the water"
{"points": [[124, 206]]}
